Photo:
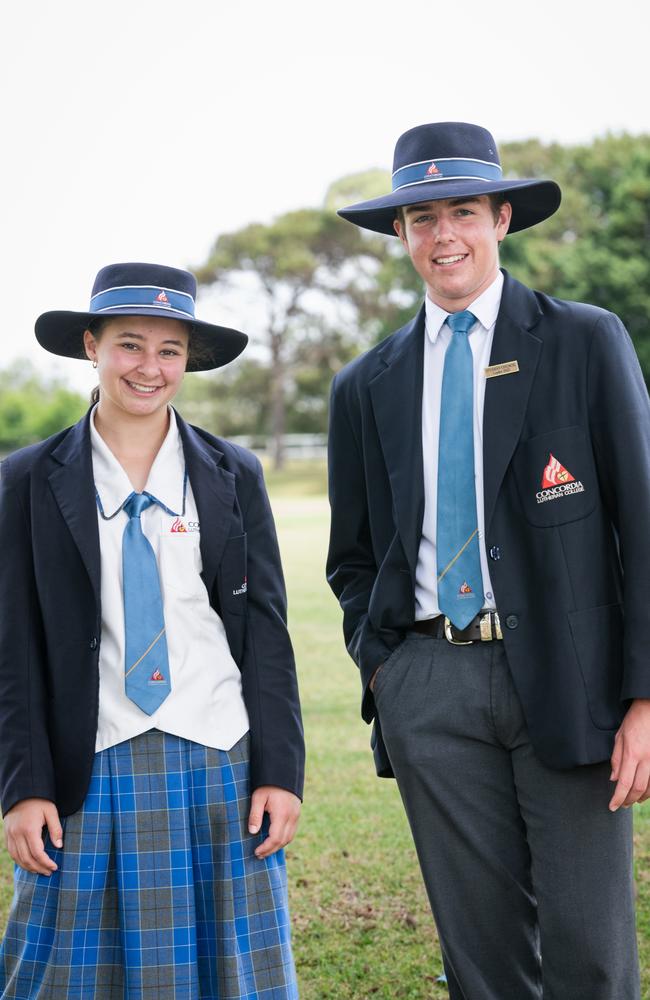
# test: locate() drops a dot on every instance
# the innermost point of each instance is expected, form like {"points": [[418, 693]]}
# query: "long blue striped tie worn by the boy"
{"points": [[460, 583]]}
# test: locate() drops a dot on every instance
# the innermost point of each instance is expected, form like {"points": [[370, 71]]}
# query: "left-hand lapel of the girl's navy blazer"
{"points": [[73, 487]]}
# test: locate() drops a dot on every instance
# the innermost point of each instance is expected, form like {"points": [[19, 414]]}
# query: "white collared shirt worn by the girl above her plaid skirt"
{"points": [[205, 704]]}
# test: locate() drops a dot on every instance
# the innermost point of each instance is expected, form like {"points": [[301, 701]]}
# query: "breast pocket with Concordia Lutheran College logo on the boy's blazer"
{"points": [[556, 477]]}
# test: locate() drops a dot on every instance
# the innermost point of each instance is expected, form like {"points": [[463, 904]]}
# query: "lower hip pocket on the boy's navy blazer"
{"points": [[597, 635]]}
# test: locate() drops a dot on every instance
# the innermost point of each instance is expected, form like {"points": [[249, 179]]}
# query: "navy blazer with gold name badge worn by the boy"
{"points": [[570, 570]]}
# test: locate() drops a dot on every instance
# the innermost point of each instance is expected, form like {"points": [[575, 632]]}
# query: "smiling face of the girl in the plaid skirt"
{"points": [[140, 363]]}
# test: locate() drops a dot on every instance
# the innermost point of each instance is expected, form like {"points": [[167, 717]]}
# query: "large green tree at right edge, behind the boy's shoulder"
{"points": [[597, 246]]}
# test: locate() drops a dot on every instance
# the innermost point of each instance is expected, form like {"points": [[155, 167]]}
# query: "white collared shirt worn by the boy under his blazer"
{"points": [[436, 341]]}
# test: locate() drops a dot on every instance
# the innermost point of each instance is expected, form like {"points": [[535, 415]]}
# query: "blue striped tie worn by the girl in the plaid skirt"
{"points": [[146, 661]]}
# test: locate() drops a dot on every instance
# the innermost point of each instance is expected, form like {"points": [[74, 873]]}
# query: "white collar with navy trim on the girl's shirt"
{"points": [[166, 480]]}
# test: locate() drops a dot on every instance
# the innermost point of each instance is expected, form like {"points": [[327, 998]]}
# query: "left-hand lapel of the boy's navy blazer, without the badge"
{"points": [[396, 394]]}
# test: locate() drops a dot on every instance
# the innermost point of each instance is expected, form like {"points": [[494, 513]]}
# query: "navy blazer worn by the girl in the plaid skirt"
{"points": [[50, 613]]}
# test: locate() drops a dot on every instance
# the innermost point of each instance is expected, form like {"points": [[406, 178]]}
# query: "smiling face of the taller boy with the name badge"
{"points": [[454, 246]]}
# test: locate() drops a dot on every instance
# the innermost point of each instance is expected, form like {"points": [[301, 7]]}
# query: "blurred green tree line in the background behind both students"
{"points": [[313, 291]]}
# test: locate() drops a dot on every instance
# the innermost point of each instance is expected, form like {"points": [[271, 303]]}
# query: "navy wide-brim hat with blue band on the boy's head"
{"points": [[453, 160]]}
